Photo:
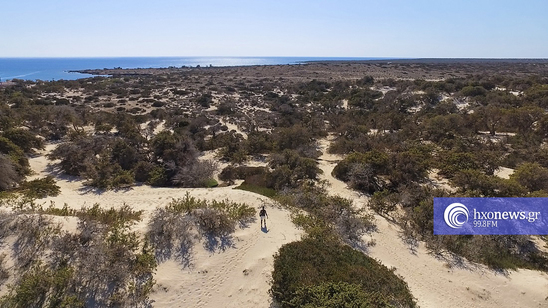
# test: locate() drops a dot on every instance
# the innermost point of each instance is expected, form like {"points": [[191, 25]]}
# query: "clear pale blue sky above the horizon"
{"points": [[343, 28]]}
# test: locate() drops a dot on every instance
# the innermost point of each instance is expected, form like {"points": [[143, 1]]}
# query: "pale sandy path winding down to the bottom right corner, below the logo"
{"points": [[431, 280]]}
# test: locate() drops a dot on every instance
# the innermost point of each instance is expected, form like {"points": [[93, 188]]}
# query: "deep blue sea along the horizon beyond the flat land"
{"points": [[48, 69]]}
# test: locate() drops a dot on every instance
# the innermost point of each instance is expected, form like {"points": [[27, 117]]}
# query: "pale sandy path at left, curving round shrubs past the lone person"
{"points": [[239, 276]]}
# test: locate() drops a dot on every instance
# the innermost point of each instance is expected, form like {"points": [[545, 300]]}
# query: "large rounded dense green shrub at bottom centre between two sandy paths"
{"points": [[305, 270]]}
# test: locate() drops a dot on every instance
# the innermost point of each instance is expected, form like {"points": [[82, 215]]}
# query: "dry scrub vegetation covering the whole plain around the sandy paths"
{"points": [[394, 123]]}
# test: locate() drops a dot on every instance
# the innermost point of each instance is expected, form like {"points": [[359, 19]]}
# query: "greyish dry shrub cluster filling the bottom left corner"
{"points": [[103, 263]]}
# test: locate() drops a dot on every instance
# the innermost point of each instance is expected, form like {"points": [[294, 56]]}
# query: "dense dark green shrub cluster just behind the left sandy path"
{"points": [[168, 159]]}
